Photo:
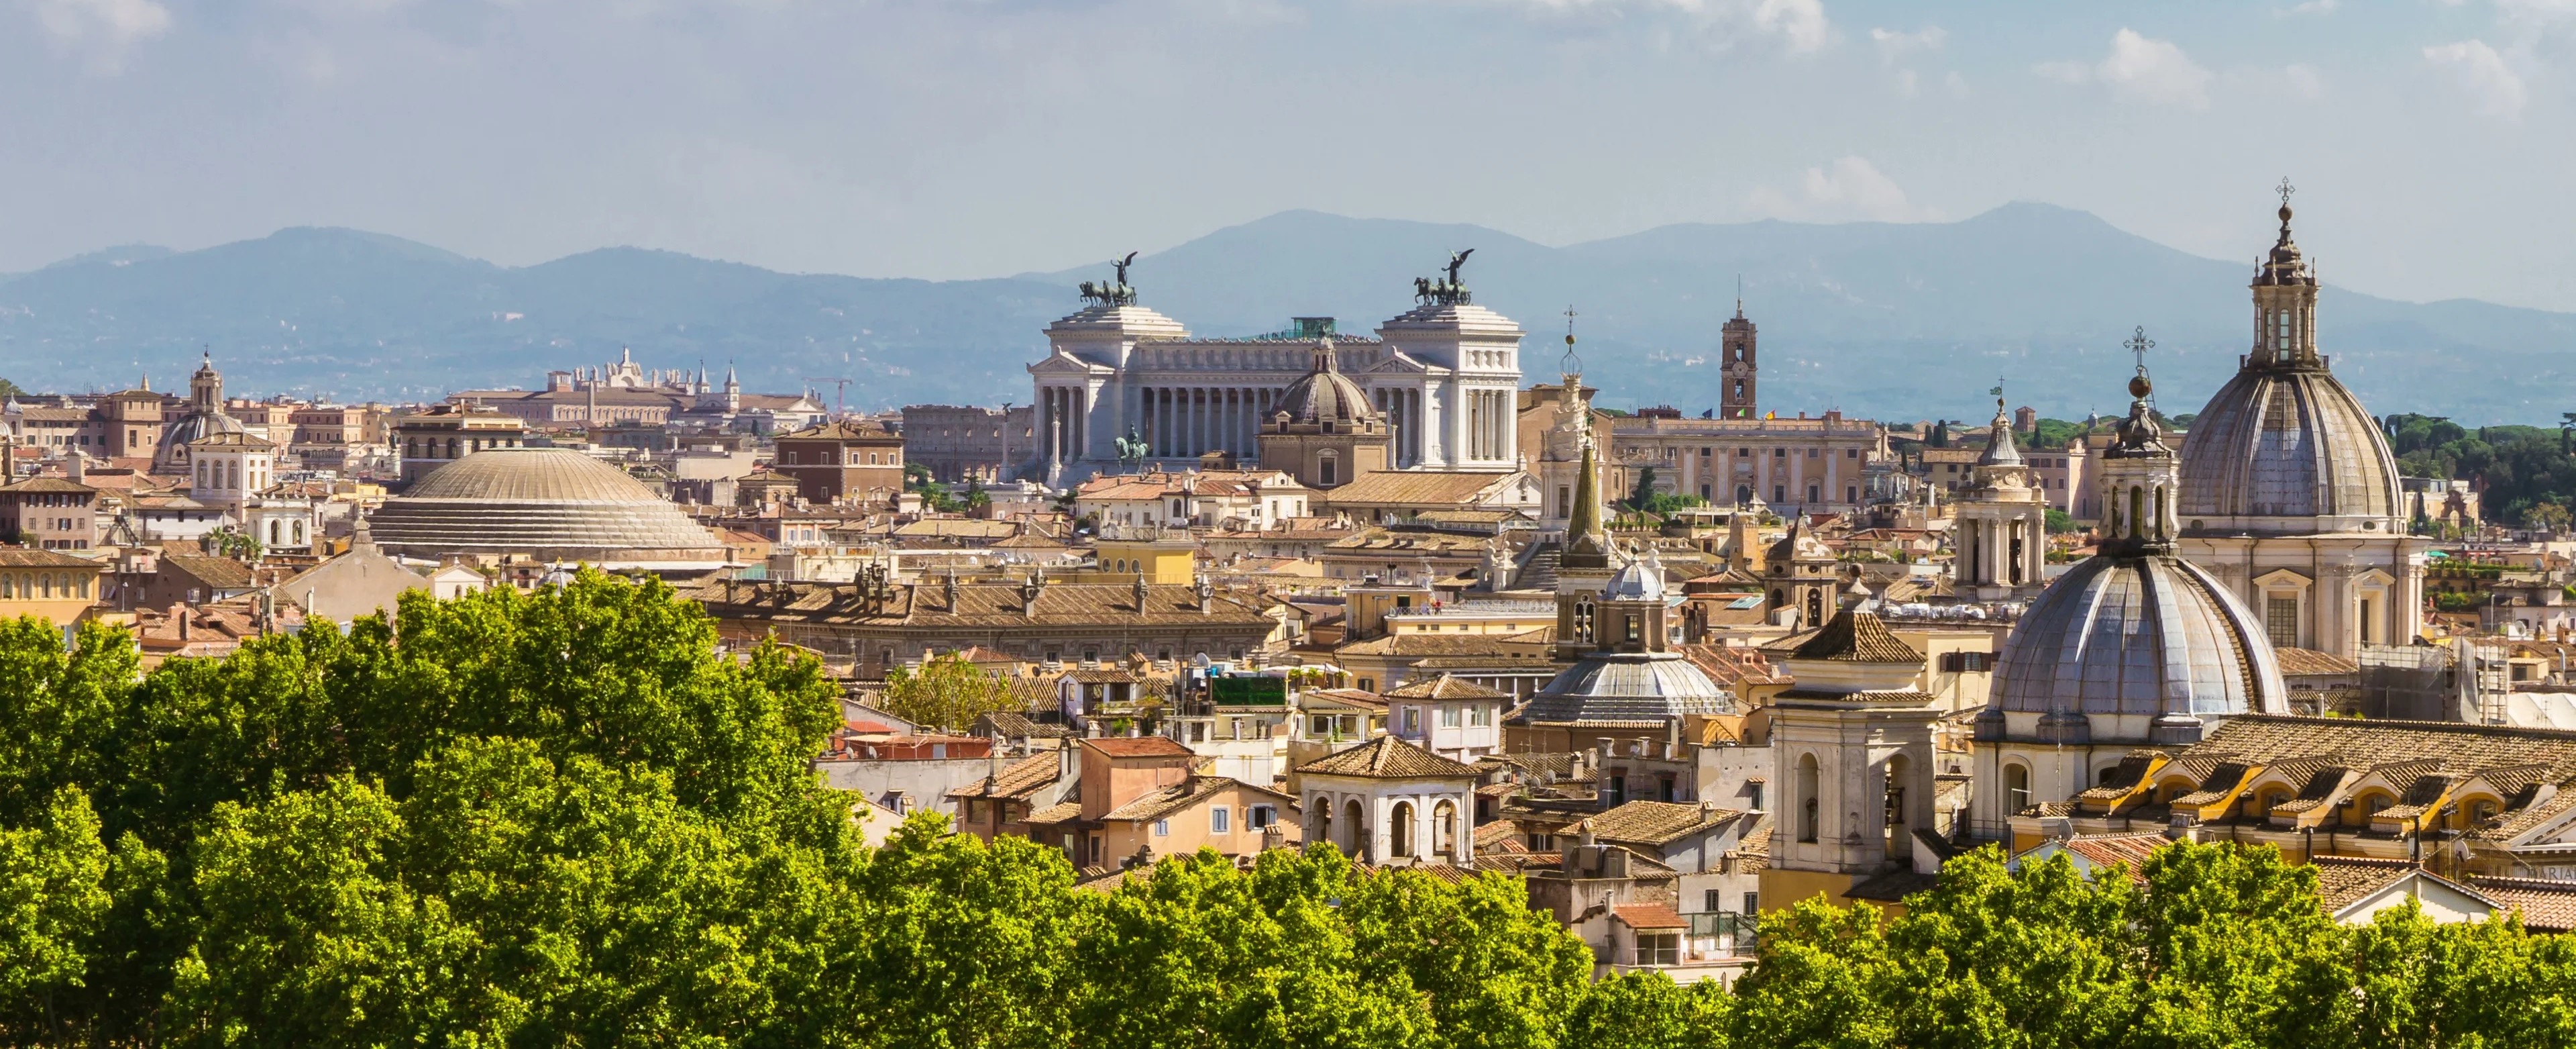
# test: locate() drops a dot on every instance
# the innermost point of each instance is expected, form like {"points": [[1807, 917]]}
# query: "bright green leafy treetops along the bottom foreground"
{"points": [[568, 818]]}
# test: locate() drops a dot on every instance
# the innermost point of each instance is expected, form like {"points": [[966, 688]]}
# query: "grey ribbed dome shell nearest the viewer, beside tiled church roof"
{"points": [[2139, 635]]}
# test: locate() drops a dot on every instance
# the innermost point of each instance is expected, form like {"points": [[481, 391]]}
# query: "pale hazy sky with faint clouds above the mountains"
{"points": [[975, 138]]}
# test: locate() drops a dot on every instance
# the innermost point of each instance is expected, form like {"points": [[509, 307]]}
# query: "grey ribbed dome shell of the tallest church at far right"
{"points": [[2286, 442]]}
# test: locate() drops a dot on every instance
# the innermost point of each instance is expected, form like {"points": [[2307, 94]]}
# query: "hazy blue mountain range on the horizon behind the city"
{"points": [[1892, 321]]}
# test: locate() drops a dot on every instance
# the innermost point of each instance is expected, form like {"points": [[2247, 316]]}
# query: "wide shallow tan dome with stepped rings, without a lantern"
{"points": [[547, 504]]}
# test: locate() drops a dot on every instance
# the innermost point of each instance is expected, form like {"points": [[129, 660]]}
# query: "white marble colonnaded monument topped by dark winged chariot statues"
{"points": [[1444, 375]]}
